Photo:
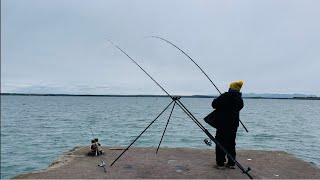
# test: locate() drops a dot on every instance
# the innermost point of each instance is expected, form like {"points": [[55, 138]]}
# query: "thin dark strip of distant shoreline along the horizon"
{"points": [[158, 96]]}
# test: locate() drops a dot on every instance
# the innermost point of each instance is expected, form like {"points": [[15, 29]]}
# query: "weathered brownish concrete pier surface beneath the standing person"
{"points": [[173, 163]]}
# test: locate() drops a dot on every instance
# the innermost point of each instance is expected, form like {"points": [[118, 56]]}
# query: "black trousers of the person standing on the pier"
{"points": [[228, 140]]}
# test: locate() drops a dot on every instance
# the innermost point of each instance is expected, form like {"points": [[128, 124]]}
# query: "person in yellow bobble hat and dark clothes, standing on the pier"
{"points": [[227, 114]]}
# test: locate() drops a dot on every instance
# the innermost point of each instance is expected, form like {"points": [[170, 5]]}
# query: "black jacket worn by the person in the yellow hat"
{"points": [[227, 107]]}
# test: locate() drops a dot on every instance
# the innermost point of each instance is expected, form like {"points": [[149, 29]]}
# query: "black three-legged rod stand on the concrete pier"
{"points": [[176, 101]]}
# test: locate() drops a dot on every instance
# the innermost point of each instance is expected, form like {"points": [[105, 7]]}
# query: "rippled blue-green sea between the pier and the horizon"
{"points": [[35, 130]]}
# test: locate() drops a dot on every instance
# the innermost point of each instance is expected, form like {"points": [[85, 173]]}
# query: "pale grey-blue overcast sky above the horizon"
{"points": [[60, 46]]}
